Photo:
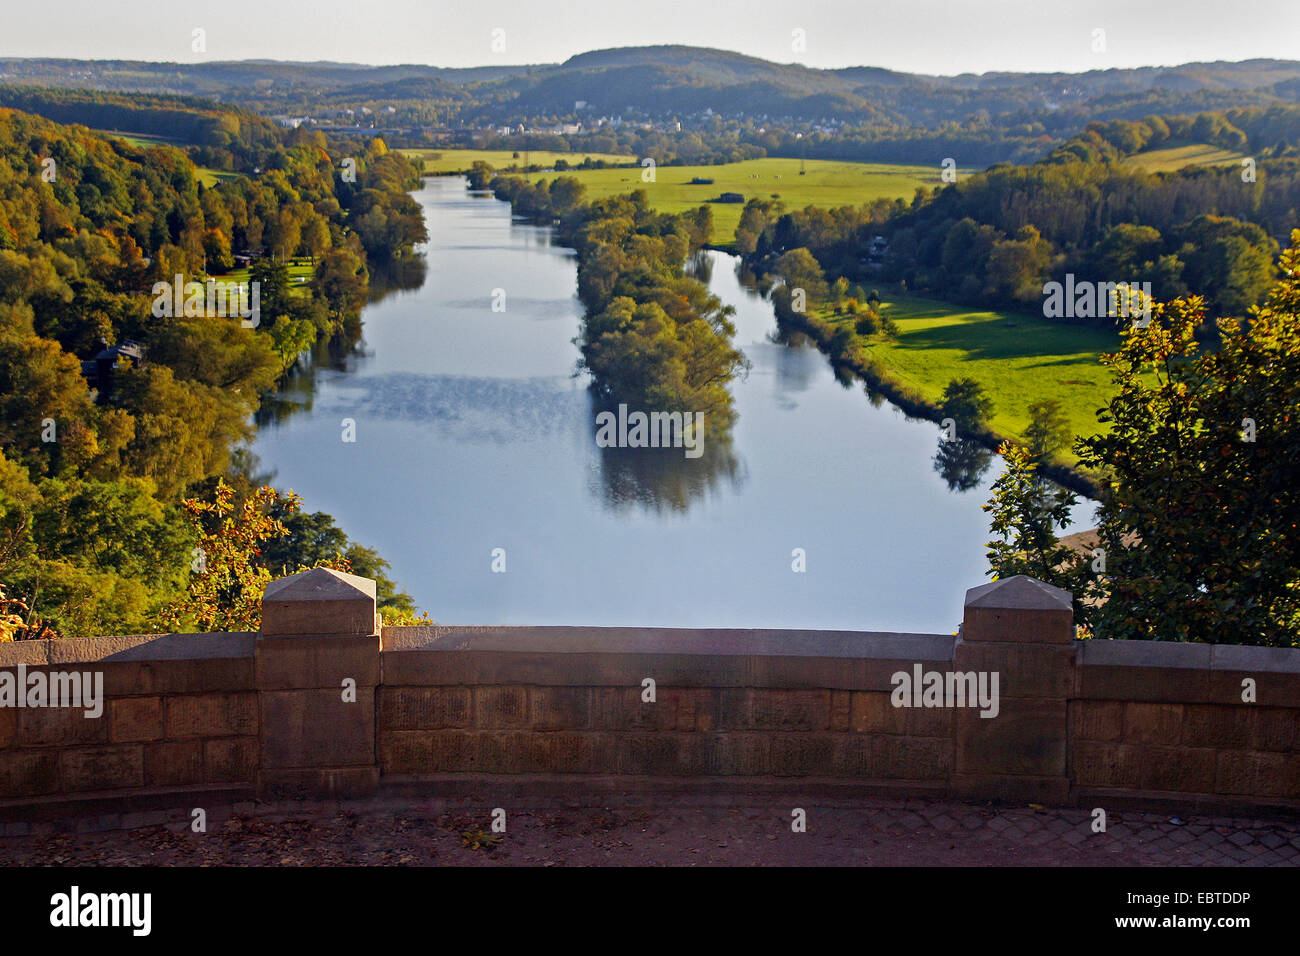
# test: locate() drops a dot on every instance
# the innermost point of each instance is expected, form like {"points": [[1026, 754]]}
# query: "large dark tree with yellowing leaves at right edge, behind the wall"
{"points": [[1201, 509]]}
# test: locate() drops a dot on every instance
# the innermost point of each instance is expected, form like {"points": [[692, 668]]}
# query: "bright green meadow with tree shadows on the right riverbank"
{"points": [[1017, 358]]}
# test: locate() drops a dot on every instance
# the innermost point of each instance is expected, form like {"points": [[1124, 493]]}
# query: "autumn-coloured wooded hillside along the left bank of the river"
{"points": [[112, 512]]}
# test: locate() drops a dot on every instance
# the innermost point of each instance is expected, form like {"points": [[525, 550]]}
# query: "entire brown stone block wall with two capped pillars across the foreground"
{"points": [[326, 702]]}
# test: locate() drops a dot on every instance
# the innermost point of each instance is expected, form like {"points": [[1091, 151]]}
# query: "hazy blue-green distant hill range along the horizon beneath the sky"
{"points": [[690, 84]]}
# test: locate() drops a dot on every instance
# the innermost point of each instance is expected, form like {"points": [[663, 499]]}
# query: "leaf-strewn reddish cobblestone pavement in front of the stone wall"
{"points": [[664, 832]]}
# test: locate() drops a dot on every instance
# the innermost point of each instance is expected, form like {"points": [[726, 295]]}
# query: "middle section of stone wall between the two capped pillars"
{"points": [[574, 702]]}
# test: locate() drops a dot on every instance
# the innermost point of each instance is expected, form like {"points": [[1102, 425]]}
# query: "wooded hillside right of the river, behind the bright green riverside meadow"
{"points": [[996, 239]]}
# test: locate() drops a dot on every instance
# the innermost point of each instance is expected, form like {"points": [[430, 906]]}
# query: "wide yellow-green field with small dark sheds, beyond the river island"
{"points": [[826, 184]]}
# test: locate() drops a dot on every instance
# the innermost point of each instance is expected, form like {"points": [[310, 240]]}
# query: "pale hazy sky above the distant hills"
{"points": [[918, 36]]}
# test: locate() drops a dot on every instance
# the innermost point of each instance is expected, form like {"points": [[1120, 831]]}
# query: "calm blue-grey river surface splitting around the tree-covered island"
{"points": [[473, 435]]}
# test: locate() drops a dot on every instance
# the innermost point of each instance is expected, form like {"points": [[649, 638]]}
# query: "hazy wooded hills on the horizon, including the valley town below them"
{"points": [[729, 105]]}
